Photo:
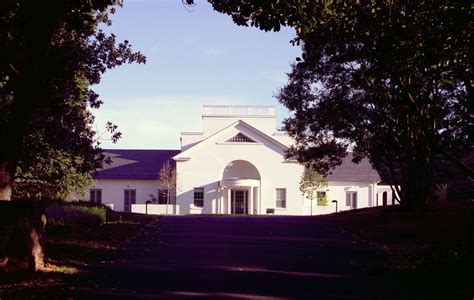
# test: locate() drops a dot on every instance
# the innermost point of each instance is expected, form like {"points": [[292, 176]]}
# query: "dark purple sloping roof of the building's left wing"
{"points": [[135, 164]]}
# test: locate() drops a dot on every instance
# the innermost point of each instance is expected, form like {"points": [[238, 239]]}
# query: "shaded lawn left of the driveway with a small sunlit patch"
{"points": [[70, 247]]}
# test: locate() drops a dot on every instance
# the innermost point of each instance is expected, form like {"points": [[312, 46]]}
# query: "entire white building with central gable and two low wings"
{"points": [[235, 165]]}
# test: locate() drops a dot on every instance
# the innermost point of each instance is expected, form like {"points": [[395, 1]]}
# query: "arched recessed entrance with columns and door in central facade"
{"points": [[239, 189]]}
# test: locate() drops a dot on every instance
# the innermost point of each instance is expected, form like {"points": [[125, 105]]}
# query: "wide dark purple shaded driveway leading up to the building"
{"points": [[241, 257]]}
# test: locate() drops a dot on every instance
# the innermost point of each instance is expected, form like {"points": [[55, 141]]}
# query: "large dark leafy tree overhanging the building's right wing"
{"points": [[389, 80]]}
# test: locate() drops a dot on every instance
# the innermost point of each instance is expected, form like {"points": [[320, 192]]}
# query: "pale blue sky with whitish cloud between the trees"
{"points": [[195, 56]]}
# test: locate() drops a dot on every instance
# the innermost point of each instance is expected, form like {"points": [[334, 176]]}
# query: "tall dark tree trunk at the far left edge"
{"points": [[29, 89]]}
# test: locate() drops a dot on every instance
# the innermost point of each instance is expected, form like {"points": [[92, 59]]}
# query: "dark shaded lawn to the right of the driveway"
{"points": [[431, 249]]}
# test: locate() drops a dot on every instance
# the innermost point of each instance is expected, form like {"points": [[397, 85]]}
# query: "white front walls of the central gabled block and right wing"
{"points": [[207, 162]]}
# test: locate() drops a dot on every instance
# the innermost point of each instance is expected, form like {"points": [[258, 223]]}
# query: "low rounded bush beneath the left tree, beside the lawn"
{"points": [[77, 213]]}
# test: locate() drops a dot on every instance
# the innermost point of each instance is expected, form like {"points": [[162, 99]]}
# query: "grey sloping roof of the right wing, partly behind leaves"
{"points": [[350, 171]]}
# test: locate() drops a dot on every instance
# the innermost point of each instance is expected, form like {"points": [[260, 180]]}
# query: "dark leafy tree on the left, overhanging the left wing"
{"points": [[48, 64]]}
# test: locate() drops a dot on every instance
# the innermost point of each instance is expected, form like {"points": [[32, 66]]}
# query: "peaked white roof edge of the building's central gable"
{"points": [[216, 135]]}
